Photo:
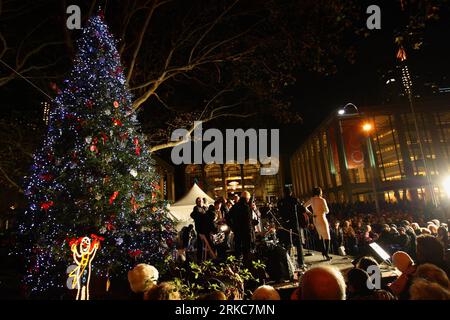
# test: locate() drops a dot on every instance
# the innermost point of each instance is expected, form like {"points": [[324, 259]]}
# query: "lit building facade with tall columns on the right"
{"points": [[377, 153]]}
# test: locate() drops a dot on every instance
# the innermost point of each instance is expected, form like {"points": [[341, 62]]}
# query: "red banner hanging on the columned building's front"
{"points": [[352, 136]]}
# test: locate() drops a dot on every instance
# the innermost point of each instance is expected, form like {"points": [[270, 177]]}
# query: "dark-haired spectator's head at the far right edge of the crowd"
{"points": [[430, 250]]}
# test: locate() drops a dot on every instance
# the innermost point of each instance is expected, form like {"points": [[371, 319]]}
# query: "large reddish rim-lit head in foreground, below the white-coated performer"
{"points": [[322, 283]]}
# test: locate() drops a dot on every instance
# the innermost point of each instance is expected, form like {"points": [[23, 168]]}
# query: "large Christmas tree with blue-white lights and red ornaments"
{"points": [[93, 175]]}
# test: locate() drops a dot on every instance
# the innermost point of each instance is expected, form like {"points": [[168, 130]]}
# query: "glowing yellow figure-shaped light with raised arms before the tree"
{"points": [[83, 250]]}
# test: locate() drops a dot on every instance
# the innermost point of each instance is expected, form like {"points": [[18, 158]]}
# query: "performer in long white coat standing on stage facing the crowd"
{"points": [[320, 210]]}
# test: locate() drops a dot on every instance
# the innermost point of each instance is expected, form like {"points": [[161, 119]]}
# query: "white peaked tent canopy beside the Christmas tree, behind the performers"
{"points": [[181, 210]]}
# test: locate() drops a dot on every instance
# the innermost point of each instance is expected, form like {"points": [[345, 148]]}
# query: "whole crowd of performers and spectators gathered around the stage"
{"points": [[418, 247]]}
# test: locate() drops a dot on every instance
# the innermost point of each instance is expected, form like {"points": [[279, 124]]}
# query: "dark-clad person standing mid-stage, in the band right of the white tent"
{"points": [[242, 224]]}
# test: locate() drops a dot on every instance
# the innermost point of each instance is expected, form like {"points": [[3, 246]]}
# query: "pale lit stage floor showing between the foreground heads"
{"points": [[343, 263]]}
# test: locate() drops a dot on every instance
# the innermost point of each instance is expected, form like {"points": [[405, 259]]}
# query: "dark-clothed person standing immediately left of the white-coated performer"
{"points": [[293, 217]]}
